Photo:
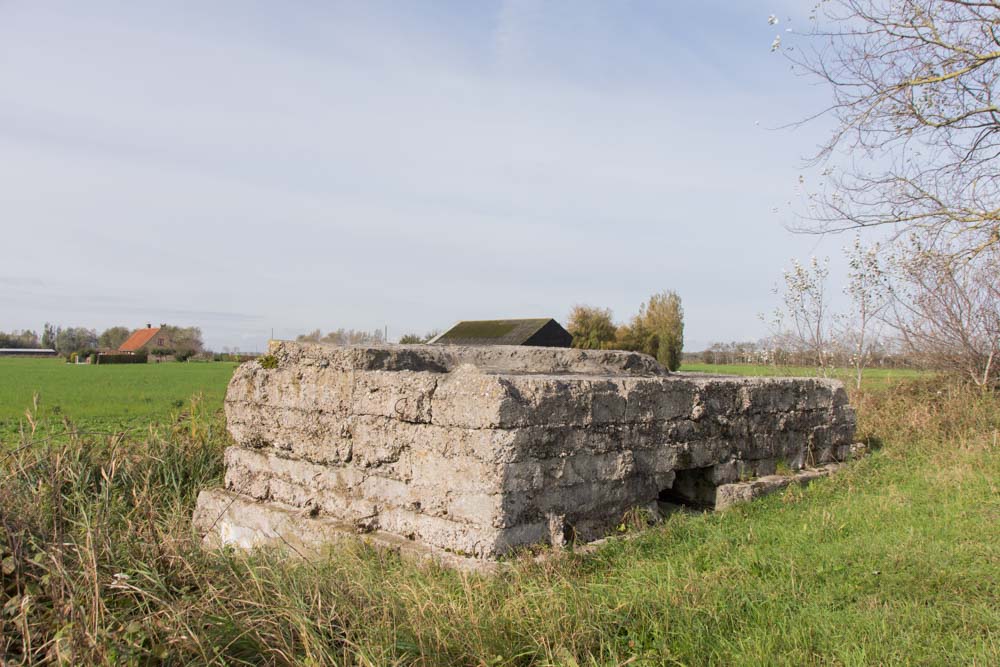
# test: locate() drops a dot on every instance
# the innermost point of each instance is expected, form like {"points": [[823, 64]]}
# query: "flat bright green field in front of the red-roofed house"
{"points": [[104, 397]]}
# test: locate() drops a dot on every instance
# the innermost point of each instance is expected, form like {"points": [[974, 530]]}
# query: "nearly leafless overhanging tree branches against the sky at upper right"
{"points": [[914, 85]]}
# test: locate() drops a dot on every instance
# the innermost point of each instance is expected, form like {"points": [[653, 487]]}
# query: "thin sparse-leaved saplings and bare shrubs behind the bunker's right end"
{"points": [[916, 308]]}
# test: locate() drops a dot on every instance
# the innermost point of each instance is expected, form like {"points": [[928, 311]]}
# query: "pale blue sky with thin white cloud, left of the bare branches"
{"points": [[251, 168]]}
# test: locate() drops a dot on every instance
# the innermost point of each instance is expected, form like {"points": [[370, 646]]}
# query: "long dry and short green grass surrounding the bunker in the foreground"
{"points": [[894, 560]]}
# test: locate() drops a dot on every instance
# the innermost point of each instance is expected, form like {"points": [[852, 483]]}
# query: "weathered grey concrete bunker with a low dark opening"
{"points": [[480, 450]]}
